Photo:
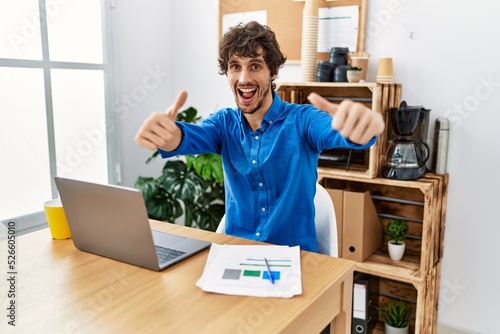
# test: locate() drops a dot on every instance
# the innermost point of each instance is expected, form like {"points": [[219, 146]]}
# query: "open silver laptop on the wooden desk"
{"points": [[112, 221]]}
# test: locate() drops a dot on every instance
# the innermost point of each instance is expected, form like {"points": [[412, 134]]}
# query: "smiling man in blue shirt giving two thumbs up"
{"points": [[269, 148]]}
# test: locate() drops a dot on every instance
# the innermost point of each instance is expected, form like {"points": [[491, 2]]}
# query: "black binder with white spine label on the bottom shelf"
{"points": [[364, 302]]}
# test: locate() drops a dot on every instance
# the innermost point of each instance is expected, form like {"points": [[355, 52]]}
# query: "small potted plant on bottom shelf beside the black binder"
{"points": [[396, 316]]}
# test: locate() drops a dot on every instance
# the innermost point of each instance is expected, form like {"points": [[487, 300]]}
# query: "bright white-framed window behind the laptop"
{"points": [[53, 101]]}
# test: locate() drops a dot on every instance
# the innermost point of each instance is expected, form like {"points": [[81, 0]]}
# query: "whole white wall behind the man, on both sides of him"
{"points": [[450, 66]]}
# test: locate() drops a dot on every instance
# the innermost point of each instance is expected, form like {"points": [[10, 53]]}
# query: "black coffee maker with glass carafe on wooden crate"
{"points": [[407, 150]]}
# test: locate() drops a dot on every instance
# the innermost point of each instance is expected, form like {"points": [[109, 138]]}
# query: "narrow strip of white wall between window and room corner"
{"points": [[143, 44]]}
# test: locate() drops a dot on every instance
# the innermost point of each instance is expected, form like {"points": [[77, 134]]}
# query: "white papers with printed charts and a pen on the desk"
{"points": [[242, 270]]}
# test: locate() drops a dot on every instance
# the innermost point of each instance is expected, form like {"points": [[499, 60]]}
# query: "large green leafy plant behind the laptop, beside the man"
{"points": [[193, 187]]}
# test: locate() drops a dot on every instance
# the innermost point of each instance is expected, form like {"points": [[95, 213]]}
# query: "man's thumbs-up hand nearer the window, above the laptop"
{"points": [[160, 130]]}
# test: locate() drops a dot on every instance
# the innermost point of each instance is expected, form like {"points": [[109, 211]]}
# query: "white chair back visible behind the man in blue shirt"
{"points": [[326, 223]]}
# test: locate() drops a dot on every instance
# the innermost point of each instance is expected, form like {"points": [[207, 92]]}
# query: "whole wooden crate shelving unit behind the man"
{"points": [[421, 202]]}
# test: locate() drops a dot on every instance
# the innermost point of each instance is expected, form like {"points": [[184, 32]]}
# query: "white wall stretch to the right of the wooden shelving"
{"points": [[452, 68]]}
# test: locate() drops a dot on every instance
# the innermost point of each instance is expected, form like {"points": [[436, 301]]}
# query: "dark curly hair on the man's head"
{"points": [[245, 40]]}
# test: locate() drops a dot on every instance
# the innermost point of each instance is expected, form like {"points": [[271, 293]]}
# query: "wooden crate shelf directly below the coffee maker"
{"points": [[420, 202]]}
